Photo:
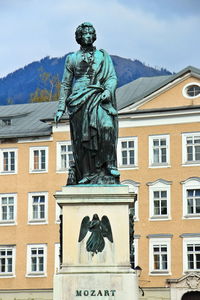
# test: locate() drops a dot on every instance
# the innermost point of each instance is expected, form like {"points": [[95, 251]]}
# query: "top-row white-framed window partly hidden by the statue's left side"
{"points": [[64, 156]]}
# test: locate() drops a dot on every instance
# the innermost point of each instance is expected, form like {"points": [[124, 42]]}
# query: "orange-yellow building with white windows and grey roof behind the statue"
{"points": [[158, 157]]}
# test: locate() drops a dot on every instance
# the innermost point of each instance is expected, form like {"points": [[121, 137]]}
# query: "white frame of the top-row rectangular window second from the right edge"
{"points": [[159, 164]]}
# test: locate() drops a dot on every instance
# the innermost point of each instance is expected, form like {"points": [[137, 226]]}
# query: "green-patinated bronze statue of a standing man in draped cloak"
{"points": [[88, 91]]}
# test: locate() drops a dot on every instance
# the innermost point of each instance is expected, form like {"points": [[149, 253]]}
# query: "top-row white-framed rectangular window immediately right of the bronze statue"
{"points": [[127, 152]]}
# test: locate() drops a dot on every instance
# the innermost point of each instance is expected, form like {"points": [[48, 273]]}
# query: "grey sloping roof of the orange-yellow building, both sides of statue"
{"points": [[27, 120]]}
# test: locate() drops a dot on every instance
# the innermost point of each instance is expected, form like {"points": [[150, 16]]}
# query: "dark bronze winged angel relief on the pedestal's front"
{"points": [[99, 229]]}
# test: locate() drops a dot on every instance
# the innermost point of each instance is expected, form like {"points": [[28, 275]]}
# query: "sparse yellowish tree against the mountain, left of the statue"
{"points": [[51, 89]]}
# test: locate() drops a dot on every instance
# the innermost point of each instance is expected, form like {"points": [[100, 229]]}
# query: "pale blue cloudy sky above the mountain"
{"points": [[159, 33]]}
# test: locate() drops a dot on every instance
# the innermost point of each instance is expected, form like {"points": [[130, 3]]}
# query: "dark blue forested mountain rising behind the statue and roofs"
{"points": [[16, 87]]}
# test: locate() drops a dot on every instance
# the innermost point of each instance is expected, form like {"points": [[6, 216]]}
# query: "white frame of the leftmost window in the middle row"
{"points": [[12, 221]]}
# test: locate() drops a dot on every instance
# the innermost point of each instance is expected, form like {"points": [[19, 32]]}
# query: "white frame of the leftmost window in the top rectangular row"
{"points": [[9, 171]]}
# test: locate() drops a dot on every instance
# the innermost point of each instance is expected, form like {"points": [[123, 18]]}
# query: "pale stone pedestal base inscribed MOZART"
{"points": [[95, 286]]}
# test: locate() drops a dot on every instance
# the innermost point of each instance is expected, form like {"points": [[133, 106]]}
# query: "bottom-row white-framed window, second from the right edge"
{"points": [[159, 256]]}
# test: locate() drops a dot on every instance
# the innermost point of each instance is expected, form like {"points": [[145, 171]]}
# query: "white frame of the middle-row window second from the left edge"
{"points": [[31, 219]]}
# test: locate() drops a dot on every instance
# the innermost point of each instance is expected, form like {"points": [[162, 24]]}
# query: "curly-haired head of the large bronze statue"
{"points": [[82, 29]]}
